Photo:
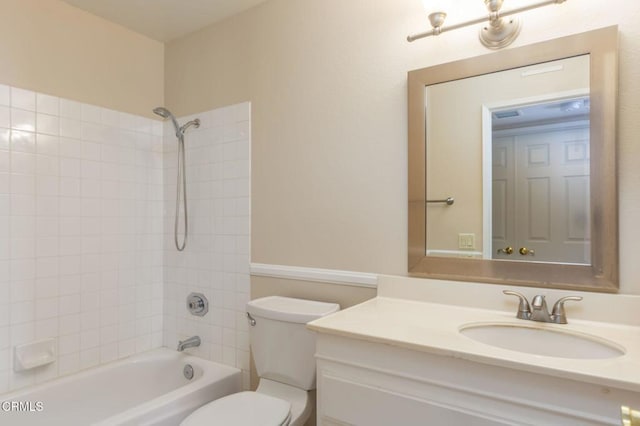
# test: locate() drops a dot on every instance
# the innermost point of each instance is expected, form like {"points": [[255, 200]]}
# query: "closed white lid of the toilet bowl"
{"points": [[241, 409]]}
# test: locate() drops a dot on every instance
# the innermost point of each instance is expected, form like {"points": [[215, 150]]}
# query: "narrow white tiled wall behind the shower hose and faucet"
{"points": [[216, 259]]}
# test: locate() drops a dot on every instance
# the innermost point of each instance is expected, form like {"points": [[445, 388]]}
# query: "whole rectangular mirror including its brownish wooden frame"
{"points": [[512, 166]]}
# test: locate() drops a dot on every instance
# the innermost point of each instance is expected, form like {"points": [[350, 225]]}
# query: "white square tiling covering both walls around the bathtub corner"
{"points": [[88, 255]]}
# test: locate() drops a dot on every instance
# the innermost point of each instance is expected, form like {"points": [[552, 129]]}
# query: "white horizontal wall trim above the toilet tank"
{"points": [[333, 276]]}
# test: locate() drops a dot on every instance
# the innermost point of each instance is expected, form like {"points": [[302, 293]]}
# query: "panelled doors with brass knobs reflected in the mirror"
{"points": [[547, 190]]}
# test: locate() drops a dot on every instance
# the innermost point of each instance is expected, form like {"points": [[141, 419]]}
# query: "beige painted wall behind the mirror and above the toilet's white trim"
{"points": [[327, 81]]}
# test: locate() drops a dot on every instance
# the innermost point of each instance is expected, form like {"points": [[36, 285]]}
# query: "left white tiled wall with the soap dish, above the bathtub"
{"points": [[80, 232]]}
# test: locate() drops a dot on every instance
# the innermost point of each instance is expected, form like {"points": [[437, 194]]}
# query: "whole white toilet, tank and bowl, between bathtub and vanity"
{"points": [[283, 350]]}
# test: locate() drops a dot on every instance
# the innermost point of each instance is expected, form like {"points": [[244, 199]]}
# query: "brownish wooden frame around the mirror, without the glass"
{"points": [[602, 274]]}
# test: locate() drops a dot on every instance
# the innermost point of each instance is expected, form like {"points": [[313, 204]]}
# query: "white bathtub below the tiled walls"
{"points": [[145, 389]]}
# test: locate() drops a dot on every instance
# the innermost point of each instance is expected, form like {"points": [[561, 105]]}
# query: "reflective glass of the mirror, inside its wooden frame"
{"points": [[529, 126]]}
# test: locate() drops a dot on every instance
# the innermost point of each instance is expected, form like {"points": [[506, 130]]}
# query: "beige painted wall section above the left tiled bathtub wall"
{"points": [[50, 47]]}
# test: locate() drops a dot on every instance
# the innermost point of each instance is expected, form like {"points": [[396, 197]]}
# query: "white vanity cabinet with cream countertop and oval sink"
{"points": [[404, 358]]}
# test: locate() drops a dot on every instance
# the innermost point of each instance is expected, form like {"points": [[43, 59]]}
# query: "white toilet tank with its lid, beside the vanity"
{"points": [[283, 349]]}
